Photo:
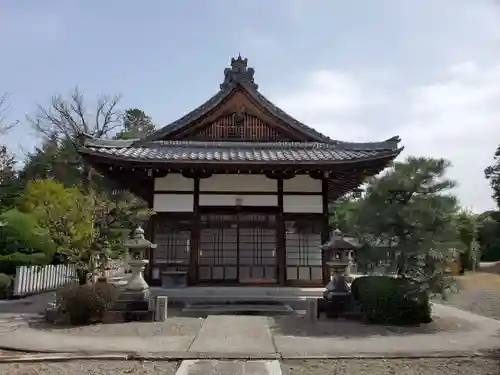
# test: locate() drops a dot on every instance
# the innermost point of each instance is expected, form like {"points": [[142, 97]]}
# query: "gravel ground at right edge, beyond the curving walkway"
{"points": [[479, 293]]}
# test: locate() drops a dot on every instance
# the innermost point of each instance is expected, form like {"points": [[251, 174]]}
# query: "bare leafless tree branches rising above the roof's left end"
{"points": [[67, 117]]}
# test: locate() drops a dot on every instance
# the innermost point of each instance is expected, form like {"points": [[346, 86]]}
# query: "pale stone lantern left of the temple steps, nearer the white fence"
{"points": [[138, 245]]}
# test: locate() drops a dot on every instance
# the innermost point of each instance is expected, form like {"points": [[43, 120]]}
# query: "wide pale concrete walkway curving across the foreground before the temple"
{"points": [[249, 337]]}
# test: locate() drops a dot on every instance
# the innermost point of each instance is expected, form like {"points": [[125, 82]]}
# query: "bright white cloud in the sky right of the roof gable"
{"points": [[455, 116]]}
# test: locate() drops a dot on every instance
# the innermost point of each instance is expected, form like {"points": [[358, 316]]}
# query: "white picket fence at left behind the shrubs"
{"points": [[36, 279]]}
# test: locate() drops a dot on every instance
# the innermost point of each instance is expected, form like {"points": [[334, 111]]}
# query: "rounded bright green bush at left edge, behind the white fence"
{"points": [[23, 242]]}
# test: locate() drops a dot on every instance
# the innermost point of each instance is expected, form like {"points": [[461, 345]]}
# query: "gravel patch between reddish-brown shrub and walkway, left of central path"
{"points": [[176, 326]]}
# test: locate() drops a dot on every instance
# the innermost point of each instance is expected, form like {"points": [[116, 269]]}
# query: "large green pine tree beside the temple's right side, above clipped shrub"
{"points": [[405, 221]]}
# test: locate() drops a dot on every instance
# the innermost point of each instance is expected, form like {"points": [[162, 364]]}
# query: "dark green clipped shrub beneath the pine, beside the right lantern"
{"points": [[388, 300]]}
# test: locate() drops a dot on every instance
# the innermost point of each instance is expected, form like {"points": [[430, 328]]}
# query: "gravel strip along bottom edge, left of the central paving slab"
{"points": [[90, 368]]}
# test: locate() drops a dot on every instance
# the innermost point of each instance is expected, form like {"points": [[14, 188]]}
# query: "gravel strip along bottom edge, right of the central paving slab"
{"points": [[435, 366]]}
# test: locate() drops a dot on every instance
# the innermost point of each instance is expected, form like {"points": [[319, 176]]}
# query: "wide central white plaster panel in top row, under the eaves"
{"points": [[236, 183]]}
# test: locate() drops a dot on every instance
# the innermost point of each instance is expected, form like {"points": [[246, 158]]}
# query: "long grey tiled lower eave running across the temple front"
{"points": [[247, 152]]}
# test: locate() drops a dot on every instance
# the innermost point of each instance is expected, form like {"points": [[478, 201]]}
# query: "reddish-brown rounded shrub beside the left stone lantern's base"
{"points": [[85, 304]]}
